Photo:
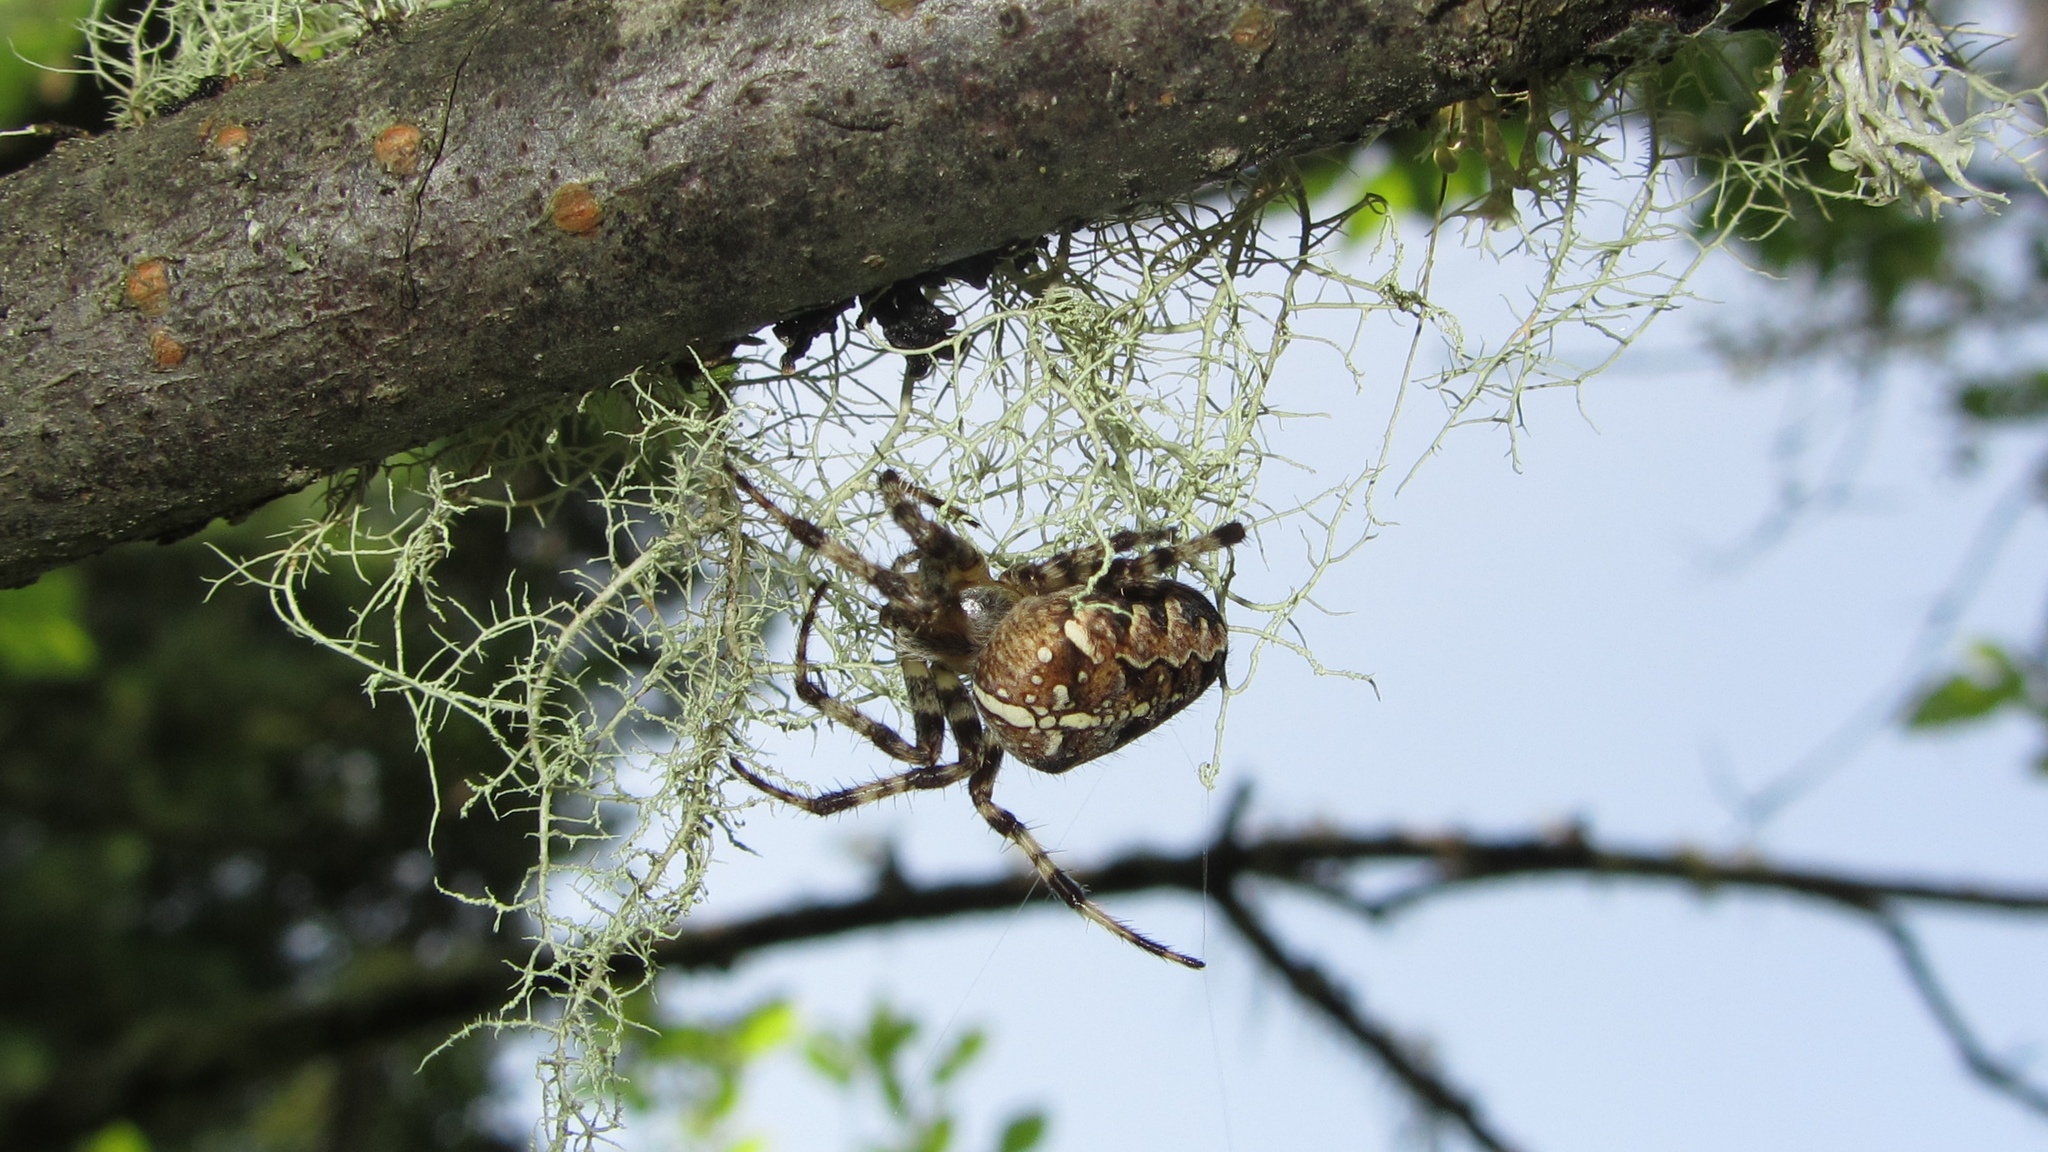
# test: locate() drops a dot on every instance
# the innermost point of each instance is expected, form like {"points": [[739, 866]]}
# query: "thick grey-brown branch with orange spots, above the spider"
{"points": [[517, 200]]}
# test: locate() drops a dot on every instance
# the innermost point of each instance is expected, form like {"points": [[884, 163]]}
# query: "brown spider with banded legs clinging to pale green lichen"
{"points": [[1060, 659]]}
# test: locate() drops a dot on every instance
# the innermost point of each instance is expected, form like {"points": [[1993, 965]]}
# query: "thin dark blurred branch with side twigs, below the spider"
{"points": [[169, 1057]]}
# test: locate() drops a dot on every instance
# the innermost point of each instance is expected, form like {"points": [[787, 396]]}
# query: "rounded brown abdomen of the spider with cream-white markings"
{"points": [[1074, 675]]}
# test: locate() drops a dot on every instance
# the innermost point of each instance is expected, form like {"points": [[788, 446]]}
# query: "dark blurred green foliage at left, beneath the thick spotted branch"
{"points": [[202, 815]]}
